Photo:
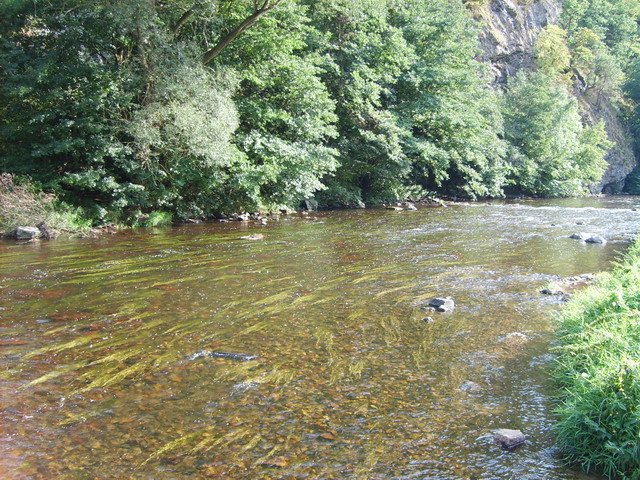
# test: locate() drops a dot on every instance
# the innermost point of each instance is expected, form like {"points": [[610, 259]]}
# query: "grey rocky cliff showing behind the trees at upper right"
{"points": [[507, 40]]}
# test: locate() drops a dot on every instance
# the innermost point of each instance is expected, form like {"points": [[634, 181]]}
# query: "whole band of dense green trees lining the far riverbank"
{"points": [[198, 107]]}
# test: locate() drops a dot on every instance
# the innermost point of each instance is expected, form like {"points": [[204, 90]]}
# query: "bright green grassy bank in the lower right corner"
{"points": [[599, 373]]}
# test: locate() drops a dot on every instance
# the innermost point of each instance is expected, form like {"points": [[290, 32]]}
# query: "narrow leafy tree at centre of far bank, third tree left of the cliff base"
{"points": [[367, 55]]}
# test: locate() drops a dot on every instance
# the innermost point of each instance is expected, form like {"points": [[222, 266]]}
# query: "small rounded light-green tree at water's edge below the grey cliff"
{"points": [[552, 153]]}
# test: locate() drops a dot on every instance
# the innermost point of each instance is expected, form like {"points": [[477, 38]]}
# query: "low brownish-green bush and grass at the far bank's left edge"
{"points": [[22, 205]]}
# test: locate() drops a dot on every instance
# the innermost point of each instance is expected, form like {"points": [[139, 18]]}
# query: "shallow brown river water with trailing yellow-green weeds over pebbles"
{"points": [[97, 338]]}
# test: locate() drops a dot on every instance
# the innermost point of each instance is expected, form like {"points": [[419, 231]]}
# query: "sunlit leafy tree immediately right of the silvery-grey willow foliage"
{"points": [[286, 112]]}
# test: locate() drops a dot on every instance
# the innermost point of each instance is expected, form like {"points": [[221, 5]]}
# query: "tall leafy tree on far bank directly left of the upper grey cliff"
{"points": [[446, 104]]}
